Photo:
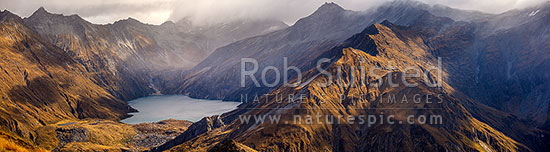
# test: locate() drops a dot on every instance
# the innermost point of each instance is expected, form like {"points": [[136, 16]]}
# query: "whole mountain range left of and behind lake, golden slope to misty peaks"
{"points": [[58, 67]]}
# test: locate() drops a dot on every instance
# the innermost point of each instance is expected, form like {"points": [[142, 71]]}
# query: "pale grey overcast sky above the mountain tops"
{"points": [[208, 11]]}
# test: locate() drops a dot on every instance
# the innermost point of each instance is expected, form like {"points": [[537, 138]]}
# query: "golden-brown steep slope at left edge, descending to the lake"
{"points": [[42, 84]]}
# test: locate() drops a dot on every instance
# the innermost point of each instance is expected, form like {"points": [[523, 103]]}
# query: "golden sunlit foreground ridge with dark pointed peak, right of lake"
{"points": [[460, 130]]}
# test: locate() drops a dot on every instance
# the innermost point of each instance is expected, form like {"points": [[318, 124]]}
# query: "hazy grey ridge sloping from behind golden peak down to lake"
{"points": [[218, 76]]}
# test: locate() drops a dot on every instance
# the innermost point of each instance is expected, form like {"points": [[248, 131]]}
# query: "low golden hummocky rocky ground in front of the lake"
{"points": [[96, 134]]}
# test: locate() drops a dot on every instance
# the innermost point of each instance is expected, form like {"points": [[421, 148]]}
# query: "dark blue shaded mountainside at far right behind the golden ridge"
{"points": [[501, 60]]}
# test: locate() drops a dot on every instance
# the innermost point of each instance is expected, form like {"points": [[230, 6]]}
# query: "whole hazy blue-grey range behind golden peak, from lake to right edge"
{"points": [[481, 52]]}
